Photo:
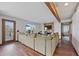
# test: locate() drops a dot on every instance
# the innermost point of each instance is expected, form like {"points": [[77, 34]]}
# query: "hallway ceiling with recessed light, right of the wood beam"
{"points": [[65, 11]]}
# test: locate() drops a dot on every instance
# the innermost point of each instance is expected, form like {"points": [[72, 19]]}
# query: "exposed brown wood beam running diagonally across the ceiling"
{"points": [[53, 9]]}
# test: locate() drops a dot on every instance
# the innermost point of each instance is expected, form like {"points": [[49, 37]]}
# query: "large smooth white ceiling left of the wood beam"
{"points": [[32, 11]]}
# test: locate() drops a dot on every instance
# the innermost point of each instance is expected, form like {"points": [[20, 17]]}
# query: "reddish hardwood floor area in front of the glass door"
{"points": [[17, 49]]}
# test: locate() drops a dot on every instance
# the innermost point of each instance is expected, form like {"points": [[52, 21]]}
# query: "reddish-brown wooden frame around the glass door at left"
{"points": [[3, 30]]}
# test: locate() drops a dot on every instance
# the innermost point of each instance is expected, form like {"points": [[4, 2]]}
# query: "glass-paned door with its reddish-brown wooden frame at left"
{"points": [[8, 31]]}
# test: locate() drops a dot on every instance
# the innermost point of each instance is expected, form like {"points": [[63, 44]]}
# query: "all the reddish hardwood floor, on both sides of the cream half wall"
{"points": [[18, 49]]}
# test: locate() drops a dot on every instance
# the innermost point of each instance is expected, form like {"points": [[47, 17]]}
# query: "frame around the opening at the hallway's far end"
{"points": [[70, 30]]}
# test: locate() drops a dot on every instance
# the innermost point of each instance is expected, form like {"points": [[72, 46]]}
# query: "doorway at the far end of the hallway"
{"points": [[66, 32]]}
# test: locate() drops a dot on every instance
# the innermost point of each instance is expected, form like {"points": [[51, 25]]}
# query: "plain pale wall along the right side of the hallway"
{"points": [[75, 30]]}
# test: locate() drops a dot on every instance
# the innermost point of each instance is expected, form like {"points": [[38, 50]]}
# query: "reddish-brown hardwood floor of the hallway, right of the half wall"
{"points": [[65, 49]]}
